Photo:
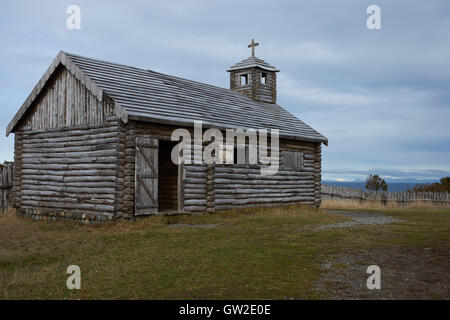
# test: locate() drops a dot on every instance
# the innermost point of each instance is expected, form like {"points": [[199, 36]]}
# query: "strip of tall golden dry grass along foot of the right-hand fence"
{"points": [[350, 204]]}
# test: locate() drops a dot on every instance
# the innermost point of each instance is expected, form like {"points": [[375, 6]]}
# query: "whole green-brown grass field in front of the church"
{"points": [[275, 253]]}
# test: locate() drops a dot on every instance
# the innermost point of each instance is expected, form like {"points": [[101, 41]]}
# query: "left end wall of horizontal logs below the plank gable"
{"points": [[71, 172]]}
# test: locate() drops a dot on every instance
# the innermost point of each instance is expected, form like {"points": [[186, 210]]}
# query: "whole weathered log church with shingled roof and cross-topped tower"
{"points": [[93, 142]]}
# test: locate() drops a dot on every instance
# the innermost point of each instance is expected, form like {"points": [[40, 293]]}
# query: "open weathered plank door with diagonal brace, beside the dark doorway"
{"points": [[146, 182]]}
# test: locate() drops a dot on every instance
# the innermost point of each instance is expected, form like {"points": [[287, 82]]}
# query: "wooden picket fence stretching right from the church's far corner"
{"points": [[332, 192]]}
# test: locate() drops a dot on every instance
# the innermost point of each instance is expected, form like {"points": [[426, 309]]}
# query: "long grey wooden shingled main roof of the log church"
{"points": [[145, 95]]}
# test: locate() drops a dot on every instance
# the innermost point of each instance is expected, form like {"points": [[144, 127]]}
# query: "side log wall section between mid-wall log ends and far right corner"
{"points": [[241, 186]]}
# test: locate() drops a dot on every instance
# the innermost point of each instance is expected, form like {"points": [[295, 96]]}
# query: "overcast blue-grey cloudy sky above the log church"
{"points": [[381, 97]]}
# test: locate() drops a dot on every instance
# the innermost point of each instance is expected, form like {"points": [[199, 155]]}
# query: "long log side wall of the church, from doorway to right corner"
{"points": [[209, 188]]}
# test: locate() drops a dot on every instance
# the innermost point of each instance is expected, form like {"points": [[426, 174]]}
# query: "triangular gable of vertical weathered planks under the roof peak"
{"points": [[63, 87]]}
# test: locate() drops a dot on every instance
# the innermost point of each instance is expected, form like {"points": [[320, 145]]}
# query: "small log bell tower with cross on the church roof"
{"points": [[255, 78]]}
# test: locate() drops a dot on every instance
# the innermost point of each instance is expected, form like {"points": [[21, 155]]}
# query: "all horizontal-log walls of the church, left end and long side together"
{"points": [[90, 170]]}
